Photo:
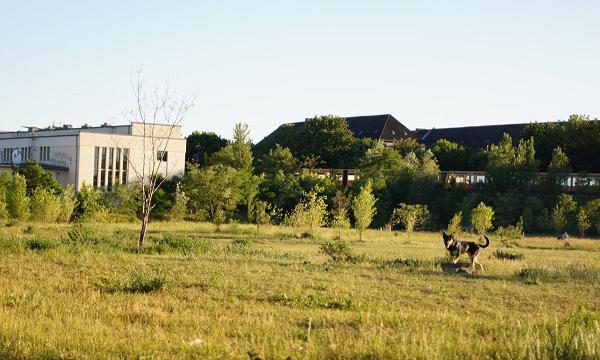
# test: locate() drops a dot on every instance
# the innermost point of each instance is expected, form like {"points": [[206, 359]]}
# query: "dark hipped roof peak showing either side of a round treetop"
{"points": [[377, 127]]}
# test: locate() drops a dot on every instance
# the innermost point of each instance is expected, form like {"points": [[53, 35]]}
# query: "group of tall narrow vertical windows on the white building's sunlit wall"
{"points": [[110, 167]]}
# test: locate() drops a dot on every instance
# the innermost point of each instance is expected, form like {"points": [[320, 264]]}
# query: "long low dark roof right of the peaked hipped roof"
{"points": [[473, 137]]}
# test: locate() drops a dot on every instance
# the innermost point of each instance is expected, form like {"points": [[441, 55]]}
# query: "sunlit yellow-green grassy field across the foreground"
{"points": [[197, 292]]}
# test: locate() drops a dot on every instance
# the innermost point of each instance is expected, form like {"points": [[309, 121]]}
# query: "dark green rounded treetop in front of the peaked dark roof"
{"points": [[327, 138]]}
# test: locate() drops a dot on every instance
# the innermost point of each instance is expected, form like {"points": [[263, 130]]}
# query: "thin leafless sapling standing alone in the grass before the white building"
{"points": [[160, 113]]}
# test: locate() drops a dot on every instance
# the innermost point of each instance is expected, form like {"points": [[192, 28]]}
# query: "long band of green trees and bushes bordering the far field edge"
{"points": [[399, 186]]}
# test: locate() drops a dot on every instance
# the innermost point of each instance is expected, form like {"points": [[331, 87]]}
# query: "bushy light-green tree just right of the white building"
{"points": [[213, 191]]}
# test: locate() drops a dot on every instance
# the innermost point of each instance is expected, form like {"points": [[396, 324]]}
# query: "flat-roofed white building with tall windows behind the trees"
{"points": [[101, 156]]}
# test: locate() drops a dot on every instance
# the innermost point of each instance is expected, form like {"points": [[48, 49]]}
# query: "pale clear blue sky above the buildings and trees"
{"points": [[428, 63]]}
